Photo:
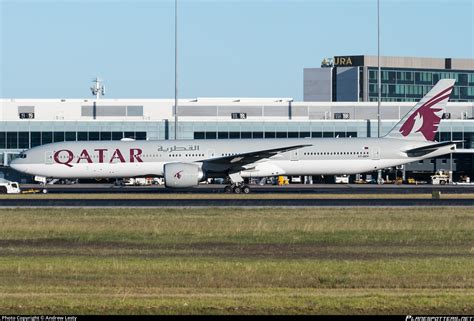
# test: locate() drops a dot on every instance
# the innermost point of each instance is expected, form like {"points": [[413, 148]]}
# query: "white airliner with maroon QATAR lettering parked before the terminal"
{"points": [[185, 163]]}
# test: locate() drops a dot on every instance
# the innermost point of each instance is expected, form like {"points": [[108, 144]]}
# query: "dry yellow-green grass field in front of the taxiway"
{"points": [[269, 261]]}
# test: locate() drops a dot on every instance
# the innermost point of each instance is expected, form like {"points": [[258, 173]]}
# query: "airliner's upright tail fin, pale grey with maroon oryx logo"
{"points": [[422, 121]]}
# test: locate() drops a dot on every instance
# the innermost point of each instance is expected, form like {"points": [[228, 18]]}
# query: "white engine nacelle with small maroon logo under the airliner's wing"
{"points": [[182, 175]]}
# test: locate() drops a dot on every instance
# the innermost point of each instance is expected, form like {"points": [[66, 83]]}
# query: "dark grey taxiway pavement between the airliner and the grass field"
{"points": [[208, 199]]}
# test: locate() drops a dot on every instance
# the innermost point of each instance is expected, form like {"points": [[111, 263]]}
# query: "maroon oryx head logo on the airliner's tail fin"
{"points": [[426, 118]]}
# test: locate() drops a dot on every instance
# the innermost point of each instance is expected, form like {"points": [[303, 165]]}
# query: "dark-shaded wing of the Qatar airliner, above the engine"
{"points": [[239, 160]]}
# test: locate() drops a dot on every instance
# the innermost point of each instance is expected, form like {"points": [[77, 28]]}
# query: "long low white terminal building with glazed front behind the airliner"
{"points": [[25, 123]]}
